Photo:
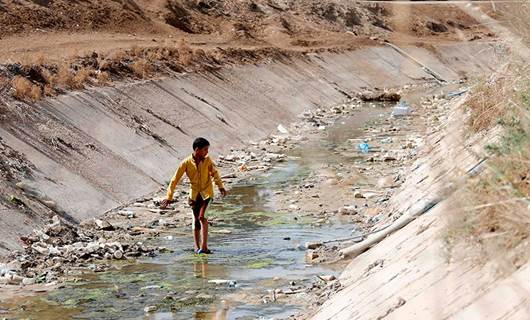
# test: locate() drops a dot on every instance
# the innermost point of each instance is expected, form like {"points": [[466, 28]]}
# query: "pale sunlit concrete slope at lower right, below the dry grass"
{"points": [[410, 274]]}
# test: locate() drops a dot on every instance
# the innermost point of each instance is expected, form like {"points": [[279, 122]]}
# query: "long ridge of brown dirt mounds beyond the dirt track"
{"points": [[255, 19]]}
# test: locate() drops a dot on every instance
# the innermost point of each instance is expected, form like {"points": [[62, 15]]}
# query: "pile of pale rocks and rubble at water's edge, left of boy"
{"points": [[62, 249]]}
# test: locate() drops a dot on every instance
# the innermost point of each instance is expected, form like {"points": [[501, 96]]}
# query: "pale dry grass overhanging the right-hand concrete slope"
{"points": [[494, 224]]}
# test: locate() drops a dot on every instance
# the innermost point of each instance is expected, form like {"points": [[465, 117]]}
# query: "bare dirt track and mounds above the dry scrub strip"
{"points": [[302, 25]]}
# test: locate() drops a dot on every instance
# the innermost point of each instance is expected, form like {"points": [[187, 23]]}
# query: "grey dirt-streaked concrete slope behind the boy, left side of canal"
{"points": [[94, 150]]}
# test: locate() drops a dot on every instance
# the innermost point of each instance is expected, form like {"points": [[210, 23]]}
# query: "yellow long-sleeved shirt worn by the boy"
{"points": [[200, 178]]}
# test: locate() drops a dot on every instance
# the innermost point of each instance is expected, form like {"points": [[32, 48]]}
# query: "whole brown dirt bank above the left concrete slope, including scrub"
{"points": [[46, 49]]}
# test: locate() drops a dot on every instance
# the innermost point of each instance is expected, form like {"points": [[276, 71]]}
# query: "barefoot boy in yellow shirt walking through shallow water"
{"points": [[200, 169]]}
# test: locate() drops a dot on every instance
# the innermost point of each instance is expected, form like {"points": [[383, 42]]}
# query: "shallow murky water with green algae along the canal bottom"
{"points": [[265, 250]]}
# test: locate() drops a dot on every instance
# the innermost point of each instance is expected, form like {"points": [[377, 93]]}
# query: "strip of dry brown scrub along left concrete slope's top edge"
{"points": [[36, 80]]}
